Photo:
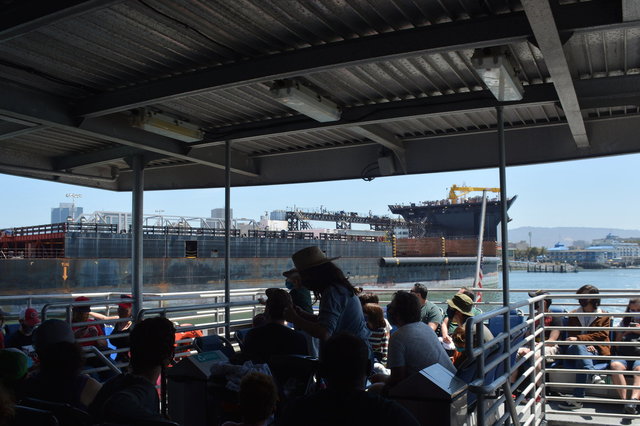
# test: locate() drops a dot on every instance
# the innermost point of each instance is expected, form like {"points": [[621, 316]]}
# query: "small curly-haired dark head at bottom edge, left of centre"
{"points": [[258, 397]]}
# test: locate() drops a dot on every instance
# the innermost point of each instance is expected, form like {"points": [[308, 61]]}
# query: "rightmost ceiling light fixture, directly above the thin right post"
{"points": [[493, 66]]}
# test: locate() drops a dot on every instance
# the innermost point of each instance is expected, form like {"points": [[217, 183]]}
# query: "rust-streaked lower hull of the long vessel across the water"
{"points": [[67, 275]]}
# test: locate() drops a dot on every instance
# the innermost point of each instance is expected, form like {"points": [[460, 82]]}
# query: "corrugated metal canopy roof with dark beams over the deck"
{"points": [[72, 72]]}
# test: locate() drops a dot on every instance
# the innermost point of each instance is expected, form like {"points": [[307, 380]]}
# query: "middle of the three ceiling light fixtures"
{"points": [[304, 100]]}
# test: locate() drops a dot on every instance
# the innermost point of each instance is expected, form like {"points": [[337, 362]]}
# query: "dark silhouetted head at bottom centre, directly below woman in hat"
{"points": [[344, 361]]}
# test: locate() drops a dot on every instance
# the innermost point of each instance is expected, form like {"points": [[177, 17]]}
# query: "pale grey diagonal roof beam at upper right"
{"points": [[544, 28]]}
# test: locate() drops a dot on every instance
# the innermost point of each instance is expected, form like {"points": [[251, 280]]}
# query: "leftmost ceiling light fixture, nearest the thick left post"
{"points": [[165, 125]]}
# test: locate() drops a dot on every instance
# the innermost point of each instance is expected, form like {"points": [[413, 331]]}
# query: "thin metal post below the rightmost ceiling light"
{"points": [[504, 203]]}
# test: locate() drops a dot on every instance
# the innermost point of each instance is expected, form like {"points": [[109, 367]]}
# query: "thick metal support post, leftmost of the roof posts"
{"points": [[136, 233]]}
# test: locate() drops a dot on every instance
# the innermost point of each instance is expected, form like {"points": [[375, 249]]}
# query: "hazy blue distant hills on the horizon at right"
{"points": [[547, 237]]}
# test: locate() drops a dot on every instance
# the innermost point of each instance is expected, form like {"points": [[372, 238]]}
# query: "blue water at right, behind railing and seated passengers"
{"points": [[603, 279]]}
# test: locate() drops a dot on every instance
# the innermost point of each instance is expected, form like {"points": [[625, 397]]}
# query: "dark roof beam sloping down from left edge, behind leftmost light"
{"points": [[48, 110]]}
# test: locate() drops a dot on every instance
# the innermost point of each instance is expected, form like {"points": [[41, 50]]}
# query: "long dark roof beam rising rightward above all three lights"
{"points": [[486, 32]]}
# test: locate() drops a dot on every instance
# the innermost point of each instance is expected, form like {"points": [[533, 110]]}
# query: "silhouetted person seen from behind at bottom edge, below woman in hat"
{"points": [[344, 363]]}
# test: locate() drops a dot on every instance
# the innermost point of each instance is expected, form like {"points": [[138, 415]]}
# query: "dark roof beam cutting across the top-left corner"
{"points": [[26, 16]]}
